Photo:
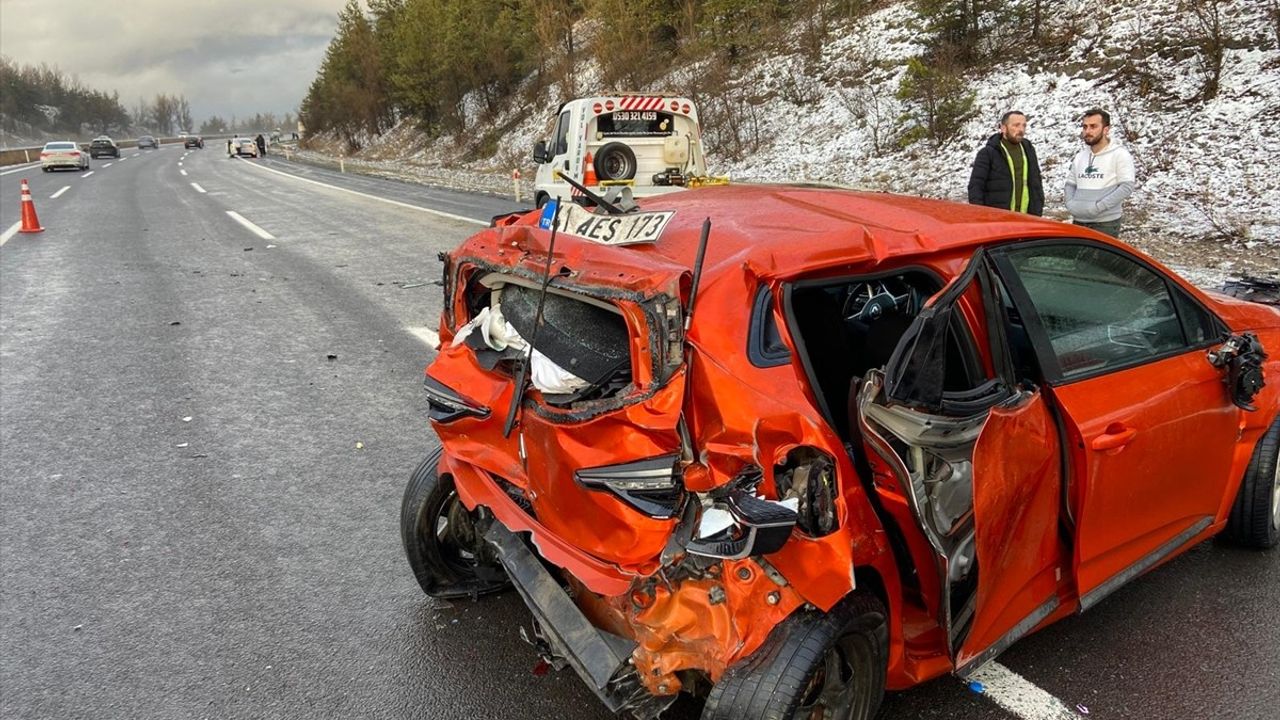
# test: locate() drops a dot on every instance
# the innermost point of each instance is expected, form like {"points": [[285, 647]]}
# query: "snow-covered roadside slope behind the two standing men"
{"points": [[1209, 197]]}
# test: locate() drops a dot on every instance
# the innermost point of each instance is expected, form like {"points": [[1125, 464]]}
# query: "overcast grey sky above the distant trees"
{"points": [[227, 57]]}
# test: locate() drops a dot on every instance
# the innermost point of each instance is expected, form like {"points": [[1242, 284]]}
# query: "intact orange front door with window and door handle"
{"points": [[1151, 423]]}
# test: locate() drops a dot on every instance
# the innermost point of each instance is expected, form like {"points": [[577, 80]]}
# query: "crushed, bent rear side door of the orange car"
{"points": [[981, 470]]}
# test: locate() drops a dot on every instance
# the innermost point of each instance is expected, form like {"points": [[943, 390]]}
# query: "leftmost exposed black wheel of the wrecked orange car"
{"points": [[445, 549]]}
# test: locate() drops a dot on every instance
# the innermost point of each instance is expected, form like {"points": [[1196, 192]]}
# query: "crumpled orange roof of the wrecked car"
{"points": [[783, 231]]}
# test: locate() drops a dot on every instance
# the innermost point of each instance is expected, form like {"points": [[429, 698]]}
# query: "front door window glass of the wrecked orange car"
{"points": [[1099, 308]]}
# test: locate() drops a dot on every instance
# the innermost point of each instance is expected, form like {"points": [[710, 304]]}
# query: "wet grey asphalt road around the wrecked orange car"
{"points": [[204, 440]]}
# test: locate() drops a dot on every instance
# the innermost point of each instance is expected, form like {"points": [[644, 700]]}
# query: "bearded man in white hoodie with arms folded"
{"points": [[1103, 176]]}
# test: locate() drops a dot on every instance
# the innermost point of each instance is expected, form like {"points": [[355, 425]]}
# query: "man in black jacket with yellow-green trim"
{"points": [[1007, 174]]}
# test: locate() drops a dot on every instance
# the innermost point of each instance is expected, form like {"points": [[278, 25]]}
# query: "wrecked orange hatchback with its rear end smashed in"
{"points": [[789, 448]]}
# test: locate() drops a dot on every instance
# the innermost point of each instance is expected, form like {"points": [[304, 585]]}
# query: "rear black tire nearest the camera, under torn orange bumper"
{"points": [[792, 676]]}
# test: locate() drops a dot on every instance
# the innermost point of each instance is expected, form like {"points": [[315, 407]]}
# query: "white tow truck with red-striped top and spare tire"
{"points": [[648, 143]]}
